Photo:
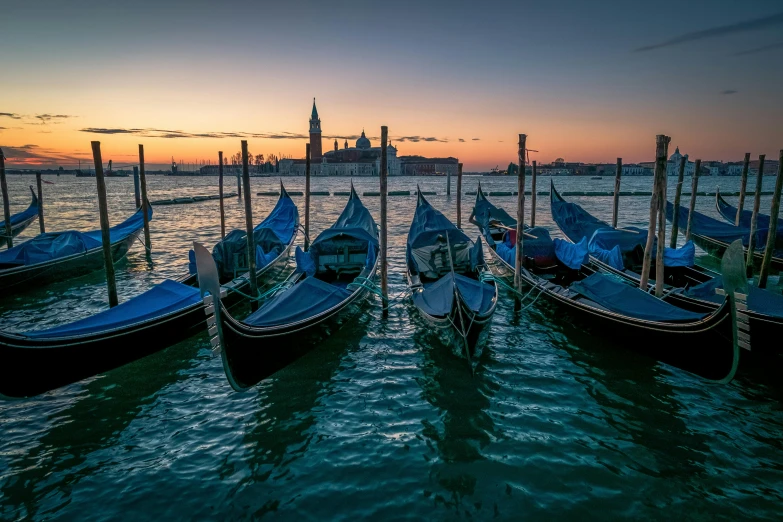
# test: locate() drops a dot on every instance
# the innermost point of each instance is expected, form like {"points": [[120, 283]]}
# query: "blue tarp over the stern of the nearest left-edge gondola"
{"points": [[272, 235]]}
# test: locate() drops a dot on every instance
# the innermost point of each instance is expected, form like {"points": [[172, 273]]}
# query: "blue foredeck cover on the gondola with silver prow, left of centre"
{"points": [[306, 299]]}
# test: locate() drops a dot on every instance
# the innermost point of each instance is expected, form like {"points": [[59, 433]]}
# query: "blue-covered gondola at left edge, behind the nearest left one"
{"points": [[57, 256]]}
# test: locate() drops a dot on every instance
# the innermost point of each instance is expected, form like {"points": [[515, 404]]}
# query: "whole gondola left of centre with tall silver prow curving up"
{"points": [[330, 283]]}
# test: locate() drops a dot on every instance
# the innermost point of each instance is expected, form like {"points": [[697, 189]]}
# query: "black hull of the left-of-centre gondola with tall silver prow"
{"points": [[251, 354]]}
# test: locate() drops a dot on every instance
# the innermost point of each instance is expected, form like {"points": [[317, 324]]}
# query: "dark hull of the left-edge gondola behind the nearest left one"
{"points": [[21, 278]]}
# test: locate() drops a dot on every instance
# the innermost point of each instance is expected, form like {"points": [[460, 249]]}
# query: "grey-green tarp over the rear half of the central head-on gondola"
{"points": [[429, 239]]}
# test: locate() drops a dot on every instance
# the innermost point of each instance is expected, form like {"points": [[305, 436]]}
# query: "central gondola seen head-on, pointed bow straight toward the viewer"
{"points": [[446, 276]]}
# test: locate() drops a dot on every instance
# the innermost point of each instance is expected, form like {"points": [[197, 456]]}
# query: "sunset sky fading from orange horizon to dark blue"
{"points": [[586, 81]]}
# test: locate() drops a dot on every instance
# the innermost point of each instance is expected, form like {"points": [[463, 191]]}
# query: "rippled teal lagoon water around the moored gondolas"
{"points": [[379, 421]]}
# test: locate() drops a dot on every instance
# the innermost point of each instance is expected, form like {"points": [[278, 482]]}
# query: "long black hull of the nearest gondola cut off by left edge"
{"points": [[34, 366]]}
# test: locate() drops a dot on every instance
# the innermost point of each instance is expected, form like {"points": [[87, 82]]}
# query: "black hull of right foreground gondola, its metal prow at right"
{"points": [[703, 347]]}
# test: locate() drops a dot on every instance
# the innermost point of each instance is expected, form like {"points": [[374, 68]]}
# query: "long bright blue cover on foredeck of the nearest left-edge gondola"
{"points": [[166, 298]]}
